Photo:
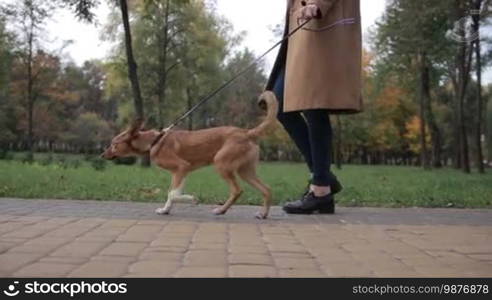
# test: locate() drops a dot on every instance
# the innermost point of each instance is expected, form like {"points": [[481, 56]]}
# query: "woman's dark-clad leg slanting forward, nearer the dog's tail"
{"points": [[293, 122]]}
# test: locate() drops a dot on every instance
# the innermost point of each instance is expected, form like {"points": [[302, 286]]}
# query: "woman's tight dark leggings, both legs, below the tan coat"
{"points": [[312, 135]]}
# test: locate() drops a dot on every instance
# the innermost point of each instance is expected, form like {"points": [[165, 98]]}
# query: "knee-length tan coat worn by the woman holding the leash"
{"points": [[323, 60]]}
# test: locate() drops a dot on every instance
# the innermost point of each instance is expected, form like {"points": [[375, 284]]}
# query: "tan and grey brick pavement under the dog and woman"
{"points": [[60, 238]]}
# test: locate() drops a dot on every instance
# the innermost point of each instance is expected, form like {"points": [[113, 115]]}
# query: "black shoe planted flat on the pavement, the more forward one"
{"points": [[310, 204]]}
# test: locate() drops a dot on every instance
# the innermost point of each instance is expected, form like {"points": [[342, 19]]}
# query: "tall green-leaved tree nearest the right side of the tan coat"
{"points": [[411, 36]]}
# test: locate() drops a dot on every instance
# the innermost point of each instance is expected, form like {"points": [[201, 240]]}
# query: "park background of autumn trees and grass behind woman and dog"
{"points": [[425, 138]]}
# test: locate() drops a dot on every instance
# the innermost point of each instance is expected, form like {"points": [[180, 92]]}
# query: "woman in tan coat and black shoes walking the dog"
{"points": [[318, 72]]}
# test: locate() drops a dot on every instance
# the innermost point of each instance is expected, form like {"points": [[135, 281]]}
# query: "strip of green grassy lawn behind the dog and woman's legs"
{"points": [[364, 185]]}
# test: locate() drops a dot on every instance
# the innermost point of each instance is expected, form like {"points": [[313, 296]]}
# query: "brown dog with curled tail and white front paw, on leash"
{"points": [[232, 150]]}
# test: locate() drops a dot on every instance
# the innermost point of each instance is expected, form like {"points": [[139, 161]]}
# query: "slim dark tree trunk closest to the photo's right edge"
{"points": [[479, 118]]}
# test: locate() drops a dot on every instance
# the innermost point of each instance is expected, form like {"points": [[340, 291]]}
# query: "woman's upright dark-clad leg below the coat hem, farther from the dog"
{"points": [[320, 137]]}
